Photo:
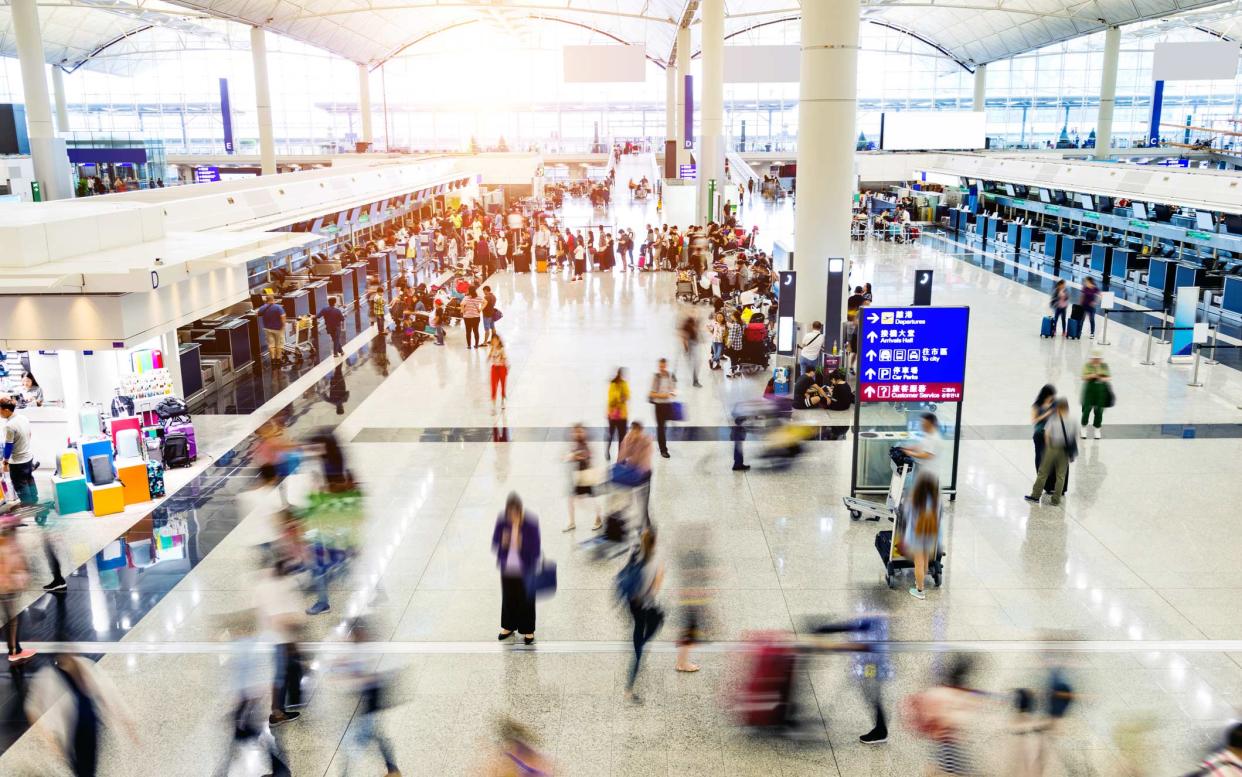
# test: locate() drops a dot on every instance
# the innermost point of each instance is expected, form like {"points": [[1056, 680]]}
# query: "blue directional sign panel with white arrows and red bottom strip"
{"points": [[912, 354]]}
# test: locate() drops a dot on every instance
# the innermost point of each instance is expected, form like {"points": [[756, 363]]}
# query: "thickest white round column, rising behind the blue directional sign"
{"points": [[827, 178]]}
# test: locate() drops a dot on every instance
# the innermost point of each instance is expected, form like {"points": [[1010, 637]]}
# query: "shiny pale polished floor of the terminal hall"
{"points": [[1133, 584]]}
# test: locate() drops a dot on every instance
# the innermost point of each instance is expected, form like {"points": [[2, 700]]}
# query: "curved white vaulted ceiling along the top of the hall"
{"points": [[968, 32]]}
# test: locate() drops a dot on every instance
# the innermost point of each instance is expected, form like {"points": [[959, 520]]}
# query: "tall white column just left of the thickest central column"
{"points": [[711, 153]]}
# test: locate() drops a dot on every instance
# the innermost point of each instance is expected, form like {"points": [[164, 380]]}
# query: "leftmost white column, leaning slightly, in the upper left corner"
{"points": [[48, 152]]}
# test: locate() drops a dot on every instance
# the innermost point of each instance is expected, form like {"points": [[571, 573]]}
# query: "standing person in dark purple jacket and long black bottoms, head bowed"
{"points": [[516, 542]]}
